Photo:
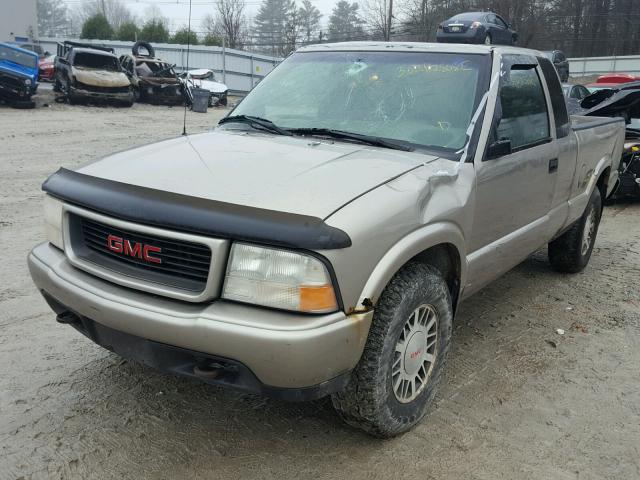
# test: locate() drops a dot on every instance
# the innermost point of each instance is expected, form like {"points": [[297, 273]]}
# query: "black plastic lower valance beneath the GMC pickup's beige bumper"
{"points": [[184, 362]]}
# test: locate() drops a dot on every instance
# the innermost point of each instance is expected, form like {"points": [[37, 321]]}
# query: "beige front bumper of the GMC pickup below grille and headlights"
{"points": [[284, 351]]}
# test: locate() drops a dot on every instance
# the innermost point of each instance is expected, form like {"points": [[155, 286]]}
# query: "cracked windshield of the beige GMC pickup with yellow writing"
{"points": [[423, 99]]}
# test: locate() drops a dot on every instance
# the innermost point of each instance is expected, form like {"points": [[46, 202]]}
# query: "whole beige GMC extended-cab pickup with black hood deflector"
{"points": [[319, 240]]}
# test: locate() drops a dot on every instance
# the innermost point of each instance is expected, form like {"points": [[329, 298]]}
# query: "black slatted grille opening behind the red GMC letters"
{"points": [[179, 264]]}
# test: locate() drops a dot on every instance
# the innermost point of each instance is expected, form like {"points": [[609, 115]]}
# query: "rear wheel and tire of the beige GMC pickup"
{"points": [[570, 253]]}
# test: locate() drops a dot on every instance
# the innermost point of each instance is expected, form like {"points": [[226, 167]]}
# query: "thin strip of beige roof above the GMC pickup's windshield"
{"points": [[416, 46]]}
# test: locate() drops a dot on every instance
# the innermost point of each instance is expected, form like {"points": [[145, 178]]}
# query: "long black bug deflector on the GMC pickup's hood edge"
{"points": [[194, 215]]}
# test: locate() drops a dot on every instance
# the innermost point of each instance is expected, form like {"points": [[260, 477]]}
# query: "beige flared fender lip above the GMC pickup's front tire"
{"points": [[408, 247]]}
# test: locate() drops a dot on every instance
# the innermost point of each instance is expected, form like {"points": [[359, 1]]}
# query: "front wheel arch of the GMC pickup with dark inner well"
{"points": [[439, 245]]}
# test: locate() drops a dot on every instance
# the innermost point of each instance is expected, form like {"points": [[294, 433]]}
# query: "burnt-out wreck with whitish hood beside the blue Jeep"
{"points": [[85, 72]]}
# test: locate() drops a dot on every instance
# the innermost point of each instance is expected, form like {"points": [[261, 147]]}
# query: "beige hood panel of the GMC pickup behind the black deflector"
{"points": [[287, 174]]}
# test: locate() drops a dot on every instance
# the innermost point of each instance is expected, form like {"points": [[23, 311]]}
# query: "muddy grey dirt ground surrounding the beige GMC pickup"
{"points": [[520, 401]]}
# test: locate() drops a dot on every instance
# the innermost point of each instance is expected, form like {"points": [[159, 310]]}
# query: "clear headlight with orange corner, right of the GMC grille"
{"points": [[279, 279]]}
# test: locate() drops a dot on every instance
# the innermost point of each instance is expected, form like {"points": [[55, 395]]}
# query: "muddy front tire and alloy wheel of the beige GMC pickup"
{"points": [[404, 357]]}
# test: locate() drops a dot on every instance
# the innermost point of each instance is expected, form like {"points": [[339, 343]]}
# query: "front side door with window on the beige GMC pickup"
{"points": [[515, 181]]}
